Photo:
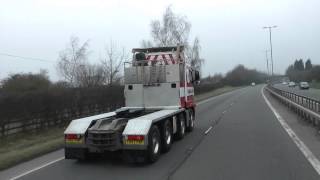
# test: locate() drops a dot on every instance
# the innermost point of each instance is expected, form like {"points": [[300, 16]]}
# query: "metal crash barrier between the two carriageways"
{"points": [[306, 107]]}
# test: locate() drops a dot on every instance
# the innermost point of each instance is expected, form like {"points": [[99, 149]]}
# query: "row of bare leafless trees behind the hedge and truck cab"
{"points": [[76, 70]]}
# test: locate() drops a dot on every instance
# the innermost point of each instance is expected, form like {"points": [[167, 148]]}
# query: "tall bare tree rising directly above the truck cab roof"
{"points": [[174, 29]]}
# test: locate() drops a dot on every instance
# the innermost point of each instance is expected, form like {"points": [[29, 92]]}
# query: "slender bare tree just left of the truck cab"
{"points": [[112, 63]]}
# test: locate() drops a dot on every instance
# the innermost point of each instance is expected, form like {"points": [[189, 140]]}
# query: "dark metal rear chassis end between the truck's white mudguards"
{"points": [[103, 139]]}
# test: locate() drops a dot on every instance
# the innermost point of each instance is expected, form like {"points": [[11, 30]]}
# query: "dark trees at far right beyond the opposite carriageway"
{"points": [[303, 71]]}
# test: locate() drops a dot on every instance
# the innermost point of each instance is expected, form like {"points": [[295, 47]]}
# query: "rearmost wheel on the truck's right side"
{"points": [[154, 145]]}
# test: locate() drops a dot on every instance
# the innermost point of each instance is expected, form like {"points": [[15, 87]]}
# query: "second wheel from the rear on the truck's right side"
{"points": [[166, 136]]}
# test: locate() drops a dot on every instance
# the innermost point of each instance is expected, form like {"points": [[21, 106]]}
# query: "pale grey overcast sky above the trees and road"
{"points": [[230, 31]]}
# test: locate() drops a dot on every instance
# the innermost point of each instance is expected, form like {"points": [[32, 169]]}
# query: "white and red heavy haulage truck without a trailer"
{"points": [[159, 106]]}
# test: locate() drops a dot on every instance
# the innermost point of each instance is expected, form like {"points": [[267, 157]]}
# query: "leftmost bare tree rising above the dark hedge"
{"points": [[71, 59]]}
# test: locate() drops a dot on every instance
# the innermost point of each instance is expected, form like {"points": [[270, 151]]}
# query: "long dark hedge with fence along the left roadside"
{"points": [[57, 106]]}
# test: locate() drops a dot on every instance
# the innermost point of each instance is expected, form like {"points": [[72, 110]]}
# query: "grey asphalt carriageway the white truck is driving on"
{"points": [[246, 142]]}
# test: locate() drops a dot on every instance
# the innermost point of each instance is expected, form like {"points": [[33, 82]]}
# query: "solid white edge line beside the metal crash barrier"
{"points": [[303, 148]]}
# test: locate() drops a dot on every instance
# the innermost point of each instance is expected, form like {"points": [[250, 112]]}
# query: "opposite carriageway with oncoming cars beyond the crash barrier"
{"points": [[312, 93]]}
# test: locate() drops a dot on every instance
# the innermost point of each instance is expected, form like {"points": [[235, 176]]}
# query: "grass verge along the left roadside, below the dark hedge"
{"points": [[22, 147]]}
